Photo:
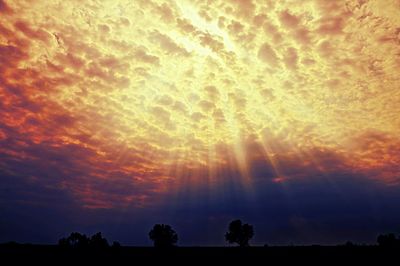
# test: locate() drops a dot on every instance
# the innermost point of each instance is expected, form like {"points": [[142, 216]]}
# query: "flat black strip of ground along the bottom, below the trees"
{"points": [[298, 255]]}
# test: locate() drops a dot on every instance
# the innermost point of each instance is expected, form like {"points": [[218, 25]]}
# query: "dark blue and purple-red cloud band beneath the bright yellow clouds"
{"points": [[318, 201]]}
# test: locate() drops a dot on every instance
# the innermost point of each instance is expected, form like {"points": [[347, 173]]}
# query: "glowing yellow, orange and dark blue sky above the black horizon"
{"points": [[120, 114]]}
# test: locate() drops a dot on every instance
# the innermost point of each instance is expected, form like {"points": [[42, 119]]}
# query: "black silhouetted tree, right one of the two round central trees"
{"points": [[239, 233]]}
